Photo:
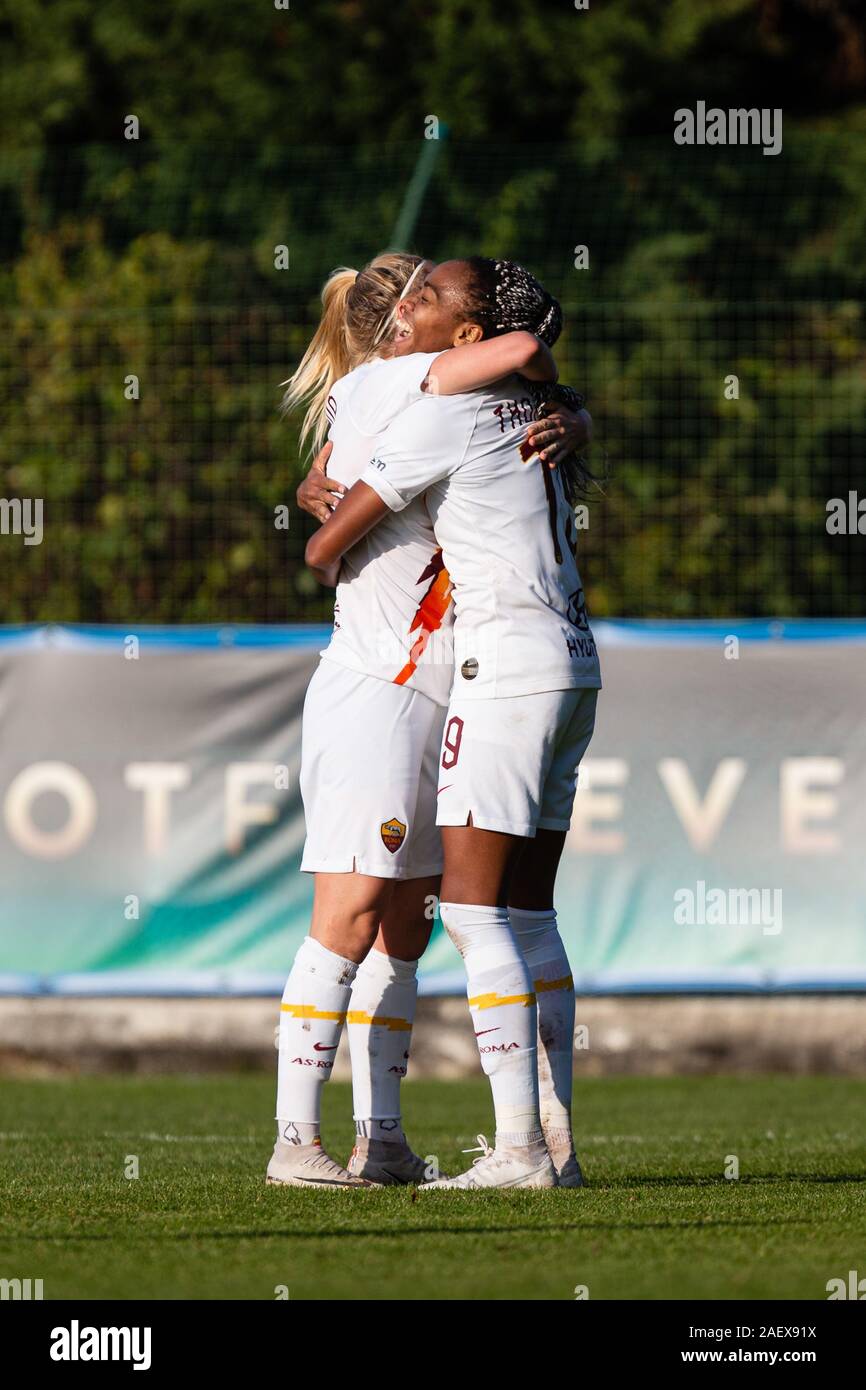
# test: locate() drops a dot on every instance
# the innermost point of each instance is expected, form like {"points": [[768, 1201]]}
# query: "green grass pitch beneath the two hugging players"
{"points": [[658, 1218]]}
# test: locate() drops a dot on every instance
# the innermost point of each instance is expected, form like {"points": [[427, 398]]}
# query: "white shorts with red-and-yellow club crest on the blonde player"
{"points": [[369, 765]]}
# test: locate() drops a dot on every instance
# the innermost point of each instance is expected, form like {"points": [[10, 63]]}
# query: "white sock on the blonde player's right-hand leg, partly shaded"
{"points": [[380, 1020]]}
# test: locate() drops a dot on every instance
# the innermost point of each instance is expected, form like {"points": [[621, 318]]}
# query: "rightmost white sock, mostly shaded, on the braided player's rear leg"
{"points": [[546, 956]]}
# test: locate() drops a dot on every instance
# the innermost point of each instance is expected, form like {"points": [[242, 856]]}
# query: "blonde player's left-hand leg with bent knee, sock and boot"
{"points": [[347, 913]]}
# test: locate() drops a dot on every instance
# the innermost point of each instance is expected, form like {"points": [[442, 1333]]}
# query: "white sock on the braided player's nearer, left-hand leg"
{"points": [[504, 1015]]}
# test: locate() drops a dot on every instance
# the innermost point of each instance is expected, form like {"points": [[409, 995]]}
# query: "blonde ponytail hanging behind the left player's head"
{"points": [[326, 361]]}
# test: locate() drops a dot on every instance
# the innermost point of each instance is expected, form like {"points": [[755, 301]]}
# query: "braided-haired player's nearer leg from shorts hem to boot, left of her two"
{"points": [[479, 865]]}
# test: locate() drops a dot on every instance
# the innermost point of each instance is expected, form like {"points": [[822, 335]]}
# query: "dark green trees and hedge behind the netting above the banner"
{"points": [[263, 127]]}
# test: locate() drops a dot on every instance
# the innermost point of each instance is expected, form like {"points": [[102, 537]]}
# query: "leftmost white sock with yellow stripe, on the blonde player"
{"points": [[312, 1018]]}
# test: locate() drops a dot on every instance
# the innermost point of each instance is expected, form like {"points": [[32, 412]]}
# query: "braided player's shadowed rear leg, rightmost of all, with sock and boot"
{"points": [[534, 924]]}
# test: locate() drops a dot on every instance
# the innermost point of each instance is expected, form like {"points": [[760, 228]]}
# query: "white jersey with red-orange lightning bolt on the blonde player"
{"points": [[393, 618]]}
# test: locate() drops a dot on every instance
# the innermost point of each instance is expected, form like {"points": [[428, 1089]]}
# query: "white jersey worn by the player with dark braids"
{"points": [[508, 539]]}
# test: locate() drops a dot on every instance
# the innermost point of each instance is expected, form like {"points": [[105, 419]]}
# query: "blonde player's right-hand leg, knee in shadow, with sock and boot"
{"points": [[380, 1021]]}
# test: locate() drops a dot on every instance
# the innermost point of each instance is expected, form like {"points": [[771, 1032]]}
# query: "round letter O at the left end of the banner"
{"points": [[81, 801]]}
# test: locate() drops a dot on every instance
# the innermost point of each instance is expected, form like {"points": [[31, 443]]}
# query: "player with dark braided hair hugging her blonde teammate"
{"points": [[522, 711]]}
